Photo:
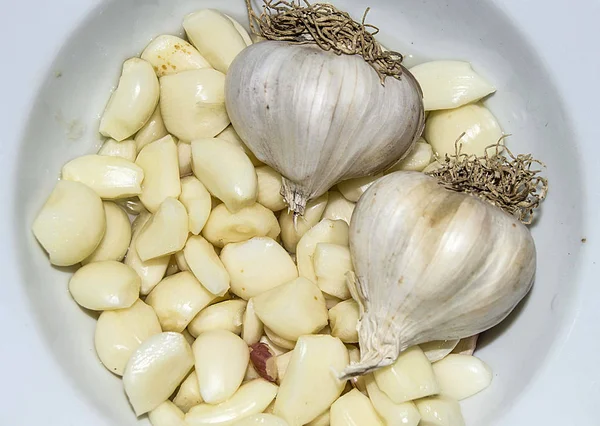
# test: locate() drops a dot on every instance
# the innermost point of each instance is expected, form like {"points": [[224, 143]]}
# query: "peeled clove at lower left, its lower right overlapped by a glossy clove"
{"points": [[120, 332]]}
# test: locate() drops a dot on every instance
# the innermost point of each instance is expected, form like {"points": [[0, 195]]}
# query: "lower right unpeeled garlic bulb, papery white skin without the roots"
{"points": [[432, 264]]}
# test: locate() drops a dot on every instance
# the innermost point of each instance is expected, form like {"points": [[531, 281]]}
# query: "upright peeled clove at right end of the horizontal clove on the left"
{"points": [[159, 161]]}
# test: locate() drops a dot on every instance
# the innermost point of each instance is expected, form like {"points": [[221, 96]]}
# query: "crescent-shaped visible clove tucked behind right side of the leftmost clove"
{"points": [[116, 238]]}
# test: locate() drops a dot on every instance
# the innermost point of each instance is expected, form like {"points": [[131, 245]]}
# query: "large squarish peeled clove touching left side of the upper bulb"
{"points": [[192, 104]]}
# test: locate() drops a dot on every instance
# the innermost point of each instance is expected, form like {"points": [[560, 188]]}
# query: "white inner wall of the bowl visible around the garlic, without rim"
{"points": [[64, 120]]}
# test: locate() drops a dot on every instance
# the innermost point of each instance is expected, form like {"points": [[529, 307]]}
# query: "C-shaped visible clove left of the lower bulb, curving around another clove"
{"points": [[326, 231]]}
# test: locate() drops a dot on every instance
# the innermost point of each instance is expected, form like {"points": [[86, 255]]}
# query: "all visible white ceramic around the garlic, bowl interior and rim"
{"points": [[60, 60]]}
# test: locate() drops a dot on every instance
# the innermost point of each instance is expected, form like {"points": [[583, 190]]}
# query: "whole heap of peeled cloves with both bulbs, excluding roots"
{"points": [[238, 296]]}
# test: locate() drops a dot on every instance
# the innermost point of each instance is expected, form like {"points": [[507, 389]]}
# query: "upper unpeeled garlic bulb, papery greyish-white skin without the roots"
{"points": [[319, 118]]}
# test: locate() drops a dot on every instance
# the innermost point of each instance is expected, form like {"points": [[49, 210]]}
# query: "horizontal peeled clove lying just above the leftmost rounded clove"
{"points": [[110, 177]]}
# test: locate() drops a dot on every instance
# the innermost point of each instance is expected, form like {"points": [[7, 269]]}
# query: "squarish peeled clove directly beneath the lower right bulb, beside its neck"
{"points": [[409, 377]]}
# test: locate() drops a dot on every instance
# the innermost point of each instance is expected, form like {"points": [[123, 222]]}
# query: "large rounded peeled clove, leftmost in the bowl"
{"points": [[71, 224]]}
